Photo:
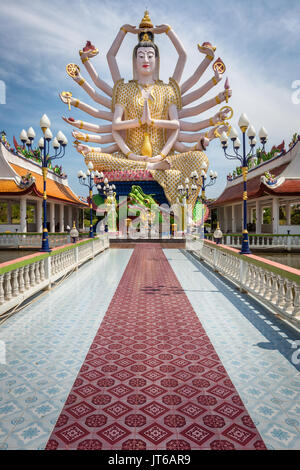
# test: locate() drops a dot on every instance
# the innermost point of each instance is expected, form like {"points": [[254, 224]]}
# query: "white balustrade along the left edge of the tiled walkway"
{"points": [[22, 282]]}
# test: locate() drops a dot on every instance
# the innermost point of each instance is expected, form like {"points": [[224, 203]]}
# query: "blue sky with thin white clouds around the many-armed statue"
{"points": [[257, 39]]}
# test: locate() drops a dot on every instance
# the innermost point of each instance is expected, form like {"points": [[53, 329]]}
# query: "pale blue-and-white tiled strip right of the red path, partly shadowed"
{"points": [[254, 346]]}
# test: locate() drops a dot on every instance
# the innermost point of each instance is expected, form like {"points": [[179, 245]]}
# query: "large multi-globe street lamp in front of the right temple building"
{"points": [[244, 159]]}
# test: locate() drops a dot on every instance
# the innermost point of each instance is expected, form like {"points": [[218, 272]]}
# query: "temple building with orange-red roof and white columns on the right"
{"points": [[273, 188]]}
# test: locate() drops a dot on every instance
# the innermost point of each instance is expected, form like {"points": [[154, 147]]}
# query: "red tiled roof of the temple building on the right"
{"points": [[255, 188]]}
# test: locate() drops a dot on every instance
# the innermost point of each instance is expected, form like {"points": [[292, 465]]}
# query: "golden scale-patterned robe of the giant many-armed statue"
{"points": [[163, 95]]}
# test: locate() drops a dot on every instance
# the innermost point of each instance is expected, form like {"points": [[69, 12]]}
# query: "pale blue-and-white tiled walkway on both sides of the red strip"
{"points": [[48, 341]]}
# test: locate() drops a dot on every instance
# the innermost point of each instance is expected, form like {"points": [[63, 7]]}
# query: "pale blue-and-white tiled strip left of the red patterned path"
{"points": [[46, 344]]}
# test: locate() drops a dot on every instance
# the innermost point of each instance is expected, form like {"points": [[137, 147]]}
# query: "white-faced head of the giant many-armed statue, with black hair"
{"points": [[146, 56]]}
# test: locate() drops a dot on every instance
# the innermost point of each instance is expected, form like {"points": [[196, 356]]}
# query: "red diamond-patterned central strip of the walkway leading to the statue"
{"points": [[152, 379]]}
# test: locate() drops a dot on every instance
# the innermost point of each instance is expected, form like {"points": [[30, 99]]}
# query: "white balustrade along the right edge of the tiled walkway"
{"points": [[278, 292]]}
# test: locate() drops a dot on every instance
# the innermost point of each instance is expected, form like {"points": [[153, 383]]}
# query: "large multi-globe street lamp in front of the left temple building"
{"points": [[59, 144]]}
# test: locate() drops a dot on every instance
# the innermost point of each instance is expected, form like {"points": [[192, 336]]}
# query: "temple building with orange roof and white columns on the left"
{"points": [[21, 195]]}
